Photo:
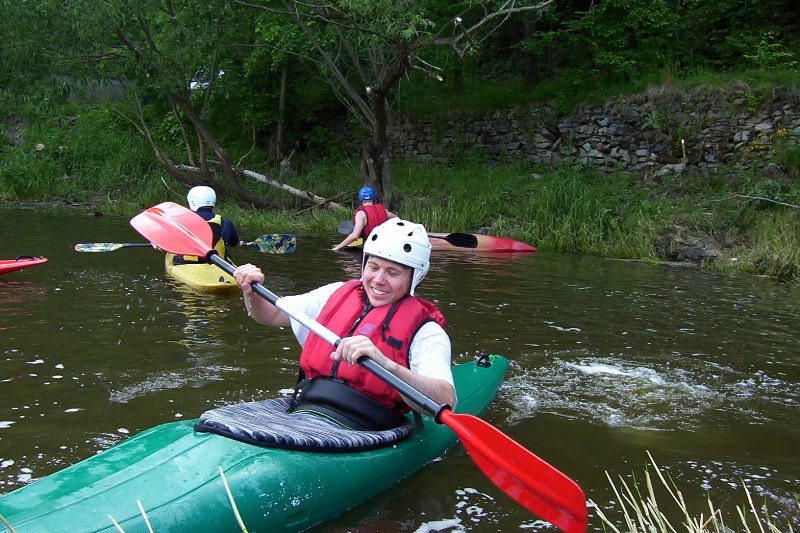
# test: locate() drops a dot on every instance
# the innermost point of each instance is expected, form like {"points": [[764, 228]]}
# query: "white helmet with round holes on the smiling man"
{"points": [[403, 242]]}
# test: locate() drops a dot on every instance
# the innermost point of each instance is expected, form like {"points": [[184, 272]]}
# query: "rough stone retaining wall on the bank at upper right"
{"points": [[695, 131]]}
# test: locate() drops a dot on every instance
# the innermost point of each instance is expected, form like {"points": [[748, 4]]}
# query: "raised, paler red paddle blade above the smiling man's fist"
{"points": [[174, 229]]}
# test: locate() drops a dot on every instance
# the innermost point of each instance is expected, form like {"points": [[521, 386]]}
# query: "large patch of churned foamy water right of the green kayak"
{"points": [[683, 392]]}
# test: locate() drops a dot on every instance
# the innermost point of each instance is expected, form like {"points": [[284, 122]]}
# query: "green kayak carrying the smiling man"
{"points": [[174, 472]]}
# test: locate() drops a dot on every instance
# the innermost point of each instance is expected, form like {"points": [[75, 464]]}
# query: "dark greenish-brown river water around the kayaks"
{"points": [[611, 362]]}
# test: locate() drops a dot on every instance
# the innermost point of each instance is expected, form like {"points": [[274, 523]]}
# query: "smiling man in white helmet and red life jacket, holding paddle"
{"points": [[377, 316]]}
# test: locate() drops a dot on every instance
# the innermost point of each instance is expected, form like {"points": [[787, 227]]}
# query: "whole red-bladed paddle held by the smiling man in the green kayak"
{"points": [[532, 482]]}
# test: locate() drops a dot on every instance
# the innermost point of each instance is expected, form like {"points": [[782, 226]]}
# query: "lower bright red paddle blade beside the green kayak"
{"points": [[529, 480]]}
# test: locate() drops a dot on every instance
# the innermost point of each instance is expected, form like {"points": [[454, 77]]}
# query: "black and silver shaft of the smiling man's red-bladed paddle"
{"points": [[401, 386]]}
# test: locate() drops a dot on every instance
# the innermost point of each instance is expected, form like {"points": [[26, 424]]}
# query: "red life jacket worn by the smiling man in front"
{"points": [[391, 327]]}
